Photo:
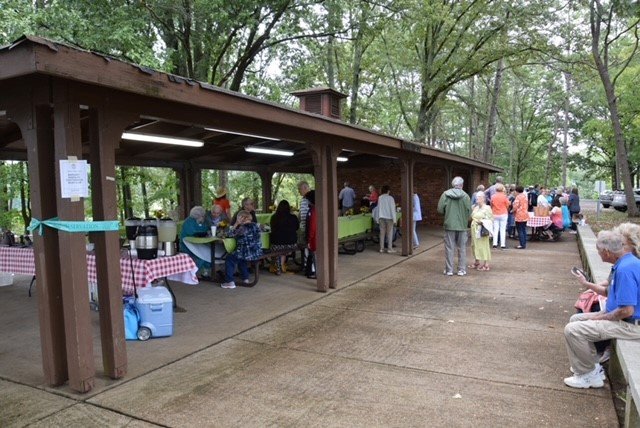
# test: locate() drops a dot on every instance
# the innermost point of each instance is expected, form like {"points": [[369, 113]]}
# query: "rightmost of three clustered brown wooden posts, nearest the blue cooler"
{"points": [[104, 135]]}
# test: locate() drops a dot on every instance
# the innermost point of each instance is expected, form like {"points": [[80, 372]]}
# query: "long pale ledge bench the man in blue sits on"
{"points": [[625, 360]]}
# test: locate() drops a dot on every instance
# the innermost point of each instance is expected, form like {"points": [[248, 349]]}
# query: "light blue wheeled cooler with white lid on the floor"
{"points": [[155, 307]]}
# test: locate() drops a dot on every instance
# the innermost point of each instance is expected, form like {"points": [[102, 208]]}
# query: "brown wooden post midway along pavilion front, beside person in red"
{"points": [[325, 170]]}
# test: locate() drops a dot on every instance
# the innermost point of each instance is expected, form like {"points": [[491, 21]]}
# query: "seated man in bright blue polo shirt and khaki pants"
{"points": [[620, 320]]}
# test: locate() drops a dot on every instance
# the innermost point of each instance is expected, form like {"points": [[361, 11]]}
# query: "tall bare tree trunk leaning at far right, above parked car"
{"points": [[603, 70]]}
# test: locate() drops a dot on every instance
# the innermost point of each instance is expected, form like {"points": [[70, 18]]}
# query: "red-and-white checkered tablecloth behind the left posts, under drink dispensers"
{"points": [[21, 261]]}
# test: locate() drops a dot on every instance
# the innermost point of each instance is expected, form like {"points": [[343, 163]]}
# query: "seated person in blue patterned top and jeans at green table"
{"points": [[248, 248]]}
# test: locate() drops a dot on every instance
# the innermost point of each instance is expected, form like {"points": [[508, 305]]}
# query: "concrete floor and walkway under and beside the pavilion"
{"points": [[397, 344]]}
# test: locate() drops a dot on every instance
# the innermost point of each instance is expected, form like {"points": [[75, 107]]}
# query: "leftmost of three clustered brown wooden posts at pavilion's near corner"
{"points": [[35, 123]]}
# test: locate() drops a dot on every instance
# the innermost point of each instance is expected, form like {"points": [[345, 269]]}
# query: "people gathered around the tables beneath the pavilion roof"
{"points": [[288, 231]]}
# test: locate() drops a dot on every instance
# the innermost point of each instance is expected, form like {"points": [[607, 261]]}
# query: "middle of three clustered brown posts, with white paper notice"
{"points": [[75, 292]]}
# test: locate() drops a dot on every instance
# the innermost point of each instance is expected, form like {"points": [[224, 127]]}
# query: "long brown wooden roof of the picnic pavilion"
{"points": [[175, 106]]}
